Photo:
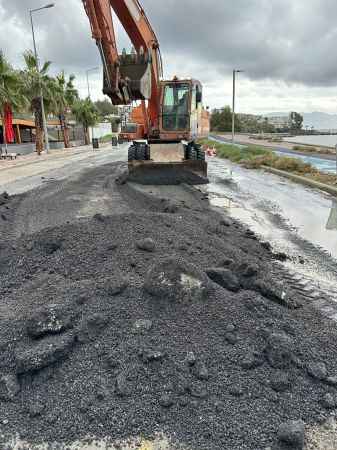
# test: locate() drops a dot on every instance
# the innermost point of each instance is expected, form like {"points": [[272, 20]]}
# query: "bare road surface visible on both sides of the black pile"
{"points": [[292, 218]]}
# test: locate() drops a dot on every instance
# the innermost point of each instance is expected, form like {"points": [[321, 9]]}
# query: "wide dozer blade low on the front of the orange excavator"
{"points": [[167, 165]]}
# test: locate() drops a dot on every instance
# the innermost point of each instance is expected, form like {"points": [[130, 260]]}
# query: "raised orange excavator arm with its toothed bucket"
{"points": [[134, 76]]}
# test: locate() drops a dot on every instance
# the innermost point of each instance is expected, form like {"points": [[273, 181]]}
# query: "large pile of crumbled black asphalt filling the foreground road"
{"points": [[167, 320]]}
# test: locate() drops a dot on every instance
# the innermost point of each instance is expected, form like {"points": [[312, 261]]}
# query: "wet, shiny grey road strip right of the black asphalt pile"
{"points": [[296, 220]]}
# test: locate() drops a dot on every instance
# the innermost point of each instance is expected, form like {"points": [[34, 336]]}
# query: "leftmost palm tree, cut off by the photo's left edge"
{"points": [[11, 92]]}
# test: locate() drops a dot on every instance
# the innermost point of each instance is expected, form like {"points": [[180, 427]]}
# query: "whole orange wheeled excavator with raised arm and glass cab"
{"points": [[169, 115]]}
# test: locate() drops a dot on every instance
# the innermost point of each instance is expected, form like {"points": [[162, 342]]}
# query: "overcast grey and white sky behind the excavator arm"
{"points": [[286, 48]]}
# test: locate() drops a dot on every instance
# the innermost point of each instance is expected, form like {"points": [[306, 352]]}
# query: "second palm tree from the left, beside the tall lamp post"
{"points": [[37, 82]]}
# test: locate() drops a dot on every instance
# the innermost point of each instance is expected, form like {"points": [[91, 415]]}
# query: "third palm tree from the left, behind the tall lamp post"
{"points": [[64, 97]]}
